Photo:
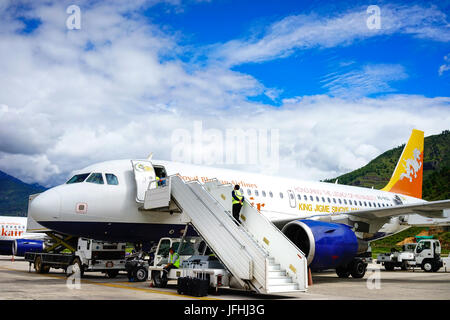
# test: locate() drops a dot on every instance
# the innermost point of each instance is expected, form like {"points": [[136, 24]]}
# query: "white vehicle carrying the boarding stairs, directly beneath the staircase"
{"points": [[196, 261]]}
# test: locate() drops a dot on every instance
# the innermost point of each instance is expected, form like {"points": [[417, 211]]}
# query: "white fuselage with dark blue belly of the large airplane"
{"points": [[110, 212]]}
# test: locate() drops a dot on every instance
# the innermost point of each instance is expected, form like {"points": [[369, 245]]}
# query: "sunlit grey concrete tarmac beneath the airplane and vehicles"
{"points": [[17, 283]]}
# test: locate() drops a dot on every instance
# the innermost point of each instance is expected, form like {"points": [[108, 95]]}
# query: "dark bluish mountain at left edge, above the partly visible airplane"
{"points": [[14, 195]]}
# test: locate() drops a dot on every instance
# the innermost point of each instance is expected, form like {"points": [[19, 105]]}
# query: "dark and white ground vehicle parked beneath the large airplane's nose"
{"points": [[89, 255]]}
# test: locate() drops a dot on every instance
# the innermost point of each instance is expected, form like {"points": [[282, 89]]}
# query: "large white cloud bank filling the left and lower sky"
{"points": [[64, 107]]}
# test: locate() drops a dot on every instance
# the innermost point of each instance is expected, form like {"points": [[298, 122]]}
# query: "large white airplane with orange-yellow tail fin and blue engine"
{"points": [[99, 202]]}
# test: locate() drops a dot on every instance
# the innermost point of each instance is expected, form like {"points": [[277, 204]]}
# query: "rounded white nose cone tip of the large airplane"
{"points": [[46, 206]]}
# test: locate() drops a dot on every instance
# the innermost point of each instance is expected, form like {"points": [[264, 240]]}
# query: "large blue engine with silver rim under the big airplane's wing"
{"points": [[326, 245]]}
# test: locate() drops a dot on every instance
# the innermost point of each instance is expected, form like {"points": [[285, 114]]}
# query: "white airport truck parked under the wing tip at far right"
{"points": [[425, 254]]}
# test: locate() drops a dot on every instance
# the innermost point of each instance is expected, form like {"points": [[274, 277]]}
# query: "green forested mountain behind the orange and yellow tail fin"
{"points": [[436, 169]]}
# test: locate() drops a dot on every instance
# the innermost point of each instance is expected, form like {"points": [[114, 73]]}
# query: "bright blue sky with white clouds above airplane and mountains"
{"points": [[337, 83]]}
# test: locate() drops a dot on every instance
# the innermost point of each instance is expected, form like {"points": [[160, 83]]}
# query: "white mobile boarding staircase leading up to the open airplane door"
{"points": [[256, 253]]}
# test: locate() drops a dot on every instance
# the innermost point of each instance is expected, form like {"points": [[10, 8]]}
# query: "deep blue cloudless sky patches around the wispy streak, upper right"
{"points": [[303, 73]]}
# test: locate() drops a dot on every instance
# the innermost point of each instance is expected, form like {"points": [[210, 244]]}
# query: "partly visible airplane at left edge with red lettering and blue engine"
{"points": [[14, 240]]}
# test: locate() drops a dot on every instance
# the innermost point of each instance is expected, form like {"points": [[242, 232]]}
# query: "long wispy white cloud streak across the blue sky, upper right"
{"points": [[291, 33]]}
